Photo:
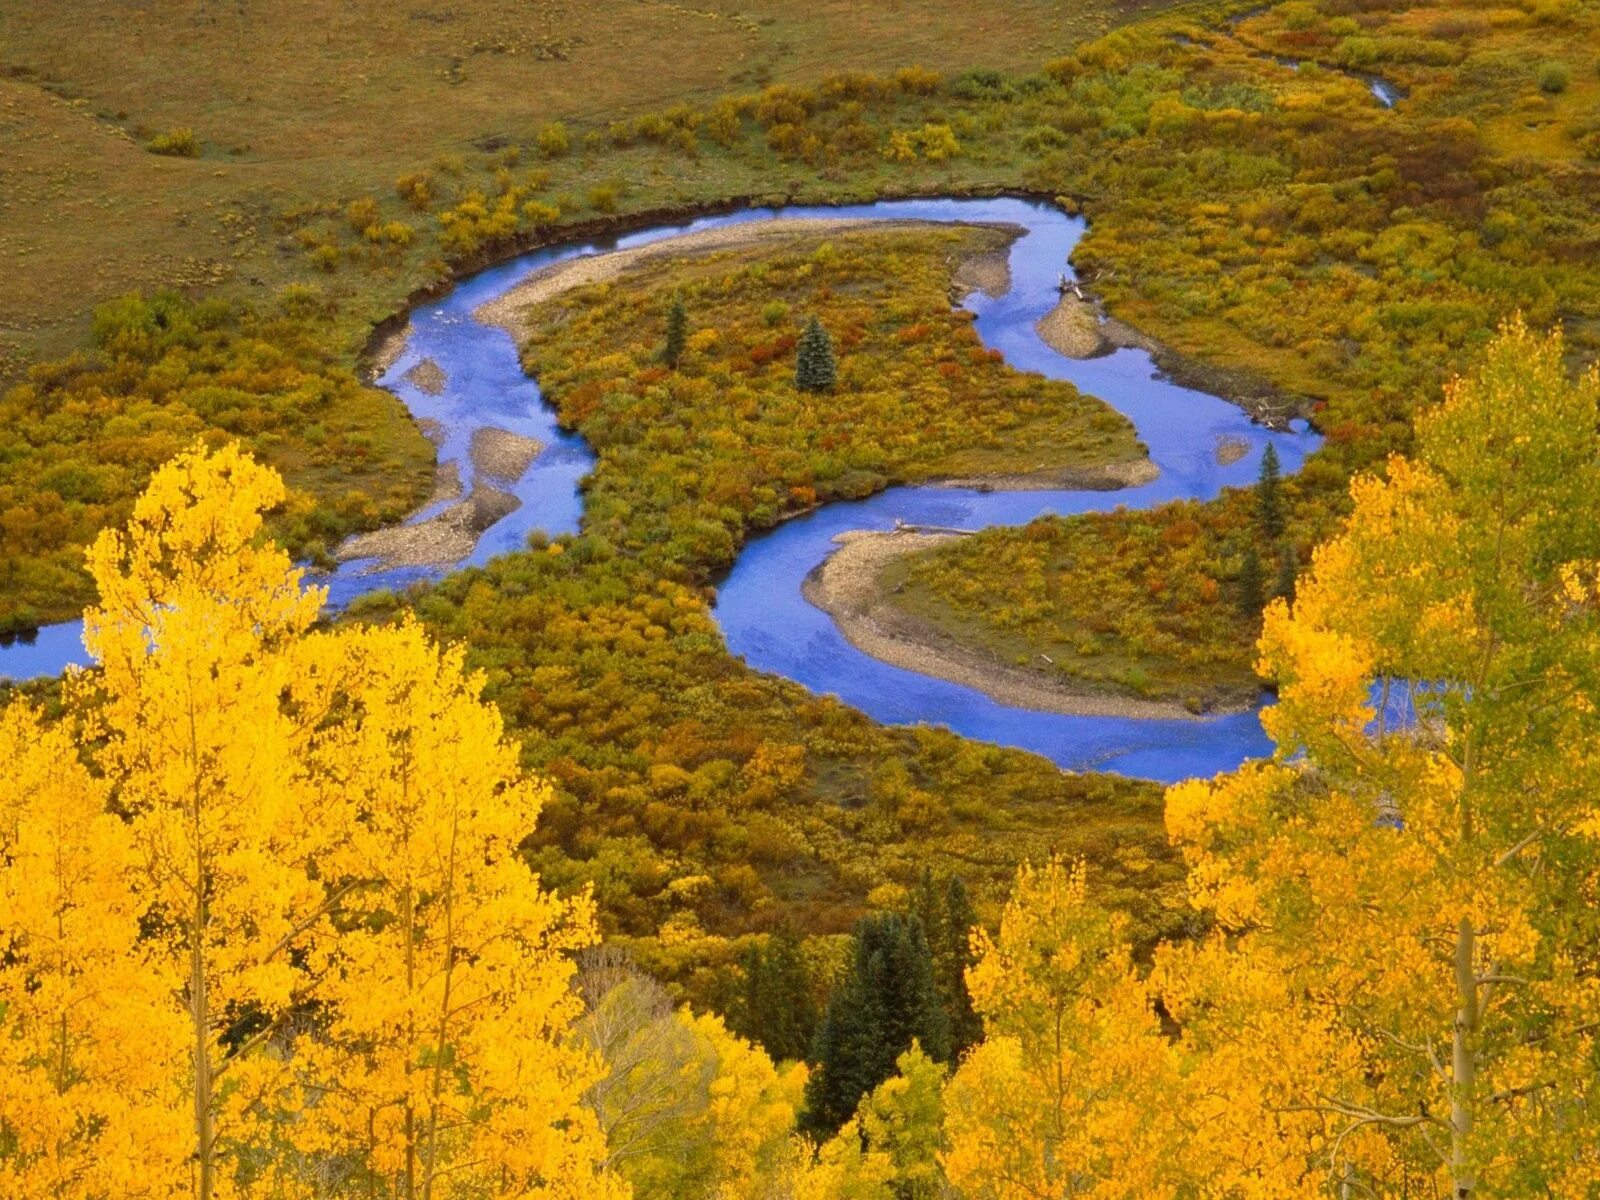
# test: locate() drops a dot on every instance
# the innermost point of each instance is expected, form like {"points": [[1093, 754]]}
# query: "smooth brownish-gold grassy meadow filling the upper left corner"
{"points": [[306, 105]]}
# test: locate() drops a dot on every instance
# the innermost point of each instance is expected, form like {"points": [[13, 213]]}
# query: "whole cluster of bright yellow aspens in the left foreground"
{"points": [[266, 927]]}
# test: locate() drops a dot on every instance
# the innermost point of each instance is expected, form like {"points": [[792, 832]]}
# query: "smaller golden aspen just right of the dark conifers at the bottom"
{"points": [[1070, 1092]]}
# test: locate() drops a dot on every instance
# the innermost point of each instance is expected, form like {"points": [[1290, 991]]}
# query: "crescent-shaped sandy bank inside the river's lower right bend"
{"points": [[847, 588]]}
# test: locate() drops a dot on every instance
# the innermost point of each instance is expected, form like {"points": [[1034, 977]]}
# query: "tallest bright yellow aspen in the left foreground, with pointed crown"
{"points": [[186, 722]]}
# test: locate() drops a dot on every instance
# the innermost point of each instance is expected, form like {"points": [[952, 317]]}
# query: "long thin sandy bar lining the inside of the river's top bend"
{"points": [[559, 278]]}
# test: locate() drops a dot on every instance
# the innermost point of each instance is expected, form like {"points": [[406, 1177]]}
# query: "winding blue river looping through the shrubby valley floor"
{"points": [[759, 607]]}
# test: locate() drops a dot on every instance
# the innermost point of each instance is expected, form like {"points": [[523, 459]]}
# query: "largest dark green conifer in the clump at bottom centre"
{"points": [[878, 1010]]}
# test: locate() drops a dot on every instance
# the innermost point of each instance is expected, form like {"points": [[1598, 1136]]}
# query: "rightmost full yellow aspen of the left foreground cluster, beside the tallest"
{"points": [[444, 1066]]}
